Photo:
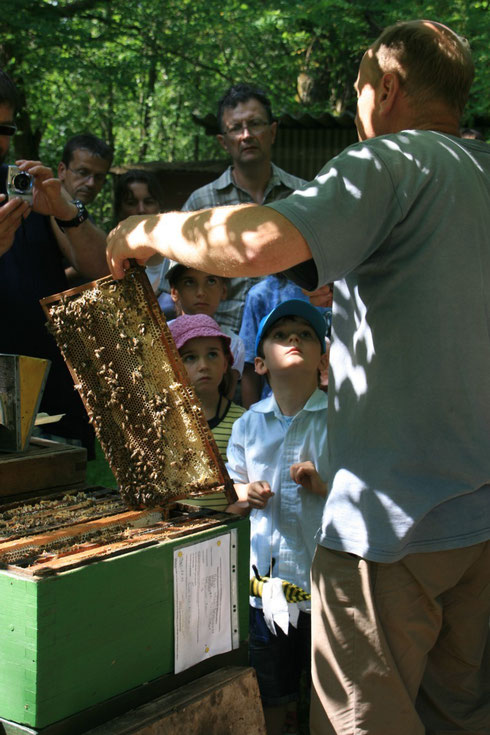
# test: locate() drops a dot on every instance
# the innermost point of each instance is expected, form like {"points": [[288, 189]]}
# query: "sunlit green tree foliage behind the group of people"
{"points": [[133, 72]]}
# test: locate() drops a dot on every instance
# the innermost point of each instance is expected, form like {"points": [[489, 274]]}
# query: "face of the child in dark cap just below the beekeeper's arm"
{"points": [[198, 292]]}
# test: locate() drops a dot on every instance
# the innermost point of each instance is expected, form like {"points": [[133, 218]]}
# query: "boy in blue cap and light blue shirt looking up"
{"points": [[277, 456]]}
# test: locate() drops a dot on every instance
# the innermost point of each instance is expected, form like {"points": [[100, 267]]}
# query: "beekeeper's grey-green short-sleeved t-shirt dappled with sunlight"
{"points": [[402, 224]]}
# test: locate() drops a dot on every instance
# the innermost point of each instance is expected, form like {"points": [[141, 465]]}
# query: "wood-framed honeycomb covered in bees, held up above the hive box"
{"points": [[130, 377]]}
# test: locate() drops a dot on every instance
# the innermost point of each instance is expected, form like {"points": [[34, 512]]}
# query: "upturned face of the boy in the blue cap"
{"points": [[291, 343]]}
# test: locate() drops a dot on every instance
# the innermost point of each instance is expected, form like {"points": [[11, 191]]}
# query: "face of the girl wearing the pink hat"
{"points": [[206, 363]]}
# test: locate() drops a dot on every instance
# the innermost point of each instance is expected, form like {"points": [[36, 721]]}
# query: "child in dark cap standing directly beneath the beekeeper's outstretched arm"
{"points": [[196, 292]]}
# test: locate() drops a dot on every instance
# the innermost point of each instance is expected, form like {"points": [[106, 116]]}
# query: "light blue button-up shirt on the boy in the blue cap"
{"points": [[263, 446]]}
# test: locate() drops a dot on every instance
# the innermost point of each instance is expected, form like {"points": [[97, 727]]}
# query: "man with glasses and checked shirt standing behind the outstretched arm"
{"points": [[248, 131]]}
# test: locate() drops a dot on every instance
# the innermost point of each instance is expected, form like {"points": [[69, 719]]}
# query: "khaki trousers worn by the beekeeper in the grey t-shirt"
{"points": [[402, 648]]}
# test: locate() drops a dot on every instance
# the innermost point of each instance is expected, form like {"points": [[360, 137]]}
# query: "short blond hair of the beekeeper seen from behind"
{"points": [[431, 61]]}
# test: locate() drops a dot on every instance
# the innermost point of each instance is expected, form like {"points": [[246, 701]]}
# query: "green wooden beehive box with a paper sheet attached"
{"points": [[75, 639]]}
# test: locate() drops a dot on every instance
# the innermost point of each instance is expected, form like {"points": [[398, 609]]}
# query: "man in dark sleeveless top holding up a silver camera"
{"points": [[35, 236]]}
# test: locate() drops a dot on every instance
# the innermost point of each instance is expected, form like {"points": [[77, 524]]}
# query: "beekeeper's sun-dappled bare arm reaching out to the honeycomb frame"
{"points": [[241, 240]]}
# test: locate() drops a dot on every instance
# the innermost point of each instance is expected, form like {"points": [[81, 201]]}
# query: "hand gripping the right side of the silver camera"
{"points": [[48, 196]]}
